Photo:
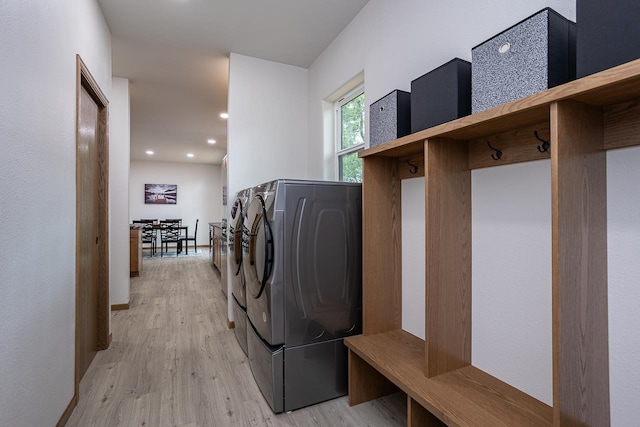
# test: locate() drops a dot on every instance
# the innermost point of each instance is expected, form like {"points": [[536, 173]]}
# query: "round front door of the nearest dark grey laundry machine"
{"points": [[259, 251]]}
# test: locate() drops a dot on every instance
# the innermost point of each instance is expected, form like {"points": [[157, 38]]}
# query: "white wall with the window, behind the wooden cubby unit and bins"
{"points": [[392, 43]]}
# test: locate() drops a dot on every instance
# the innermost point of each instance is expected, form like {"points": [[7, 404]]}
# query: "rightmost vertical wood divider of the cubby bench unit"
{"points": [[579, 218]]}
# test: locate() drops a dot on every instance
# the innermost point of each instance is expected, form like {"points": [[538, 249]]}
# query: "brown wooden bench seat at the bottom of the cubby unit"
{"points": [[464, 397]]}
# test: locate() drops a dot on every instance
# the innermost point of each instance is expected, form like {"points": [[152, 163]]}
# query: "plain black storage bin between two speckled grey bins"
{"points": [[441, 95]]}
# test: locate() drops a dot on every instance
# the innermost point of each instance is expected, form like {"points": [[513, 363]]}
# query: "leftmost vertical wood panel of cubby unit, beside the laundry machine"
{"points": [[381, 234]]}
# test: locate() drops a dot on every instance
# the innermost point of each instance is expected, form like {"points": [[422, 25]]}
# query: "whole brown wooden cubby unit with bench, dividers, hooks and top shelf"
{"points": [[581, 120]]}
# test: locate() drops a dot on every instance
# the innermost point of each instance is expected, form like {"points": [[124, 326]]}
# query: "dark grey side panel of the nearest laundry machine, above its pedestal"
{"points": [[324, 271]]}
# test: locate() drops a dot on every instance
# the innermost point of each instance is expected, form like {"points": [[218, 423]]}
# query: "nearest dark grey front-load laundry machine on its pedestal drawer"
{"points": [[303, 272]]}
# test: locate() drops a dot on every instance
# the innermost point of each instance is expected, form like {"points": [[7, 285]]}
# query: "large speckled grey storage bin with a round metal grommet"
{"points": [[536, 54]]}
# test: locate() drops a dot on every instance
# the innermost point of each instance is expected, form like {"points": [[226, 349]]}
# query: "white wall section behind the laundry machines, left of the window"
{"points": [[267, 126]]}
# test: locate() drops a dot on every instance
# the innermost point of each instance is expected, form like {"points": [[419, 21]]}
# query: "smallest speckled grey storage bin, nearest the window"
{"points": [[389, 118]]}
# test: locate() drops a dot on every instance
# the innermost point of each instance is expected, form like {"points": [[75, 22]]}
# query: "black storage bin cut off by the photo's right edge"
{"points": [[607, 34]]}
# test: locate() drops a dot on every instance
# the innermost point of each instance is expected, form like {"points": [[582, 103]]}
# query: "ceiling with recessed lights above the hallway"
{"points": [[175, 54]]}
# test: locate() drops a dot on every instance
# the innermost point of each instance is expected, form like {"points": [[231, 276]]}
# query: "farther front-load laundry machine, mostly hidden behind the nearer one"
{"points": [[237, 237]]}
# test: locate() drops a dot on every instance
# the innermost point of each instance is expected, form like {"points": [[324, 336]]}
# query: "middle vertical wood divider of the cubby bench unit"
{"points": [[448, 256]]}
